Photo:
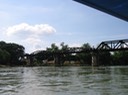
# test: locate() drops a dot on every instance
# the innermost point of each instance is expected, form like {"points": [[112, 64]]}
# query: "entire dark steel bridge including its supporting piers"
{"points": [[104, 46]]}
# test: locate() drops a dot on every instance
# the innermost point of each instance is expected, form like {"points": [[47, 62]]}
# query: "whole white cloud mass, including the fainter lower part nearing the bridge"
{"points": [[30, 36]]}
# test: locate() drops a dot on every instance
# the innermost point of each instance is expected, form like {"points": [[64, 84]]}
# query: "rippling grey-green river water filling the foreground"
{"points": [[64, 81]]}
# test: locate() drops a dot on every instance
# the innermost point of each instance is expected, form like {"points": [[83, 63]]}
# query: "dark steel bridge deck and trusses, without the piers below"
{"points": [[113, 45]]}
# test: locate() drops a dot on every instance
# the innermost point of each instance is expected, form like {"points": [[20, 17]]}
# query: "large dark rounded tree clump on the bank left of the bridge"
{"points": [[11, 54]]}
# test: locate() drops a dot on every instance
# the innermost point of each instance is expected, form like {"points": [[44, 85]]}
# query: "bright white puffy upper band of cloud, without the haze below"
{"points": [[37, 29]]}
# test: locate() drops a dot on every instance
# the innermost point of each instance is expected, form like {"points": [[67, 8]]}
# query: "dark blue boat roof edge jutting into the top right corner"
{"points": [[117, 8]]}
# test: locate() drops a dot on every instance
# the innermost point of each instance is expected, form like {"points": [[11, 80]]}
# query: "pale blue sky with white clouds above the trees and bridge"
{"points": [[36, 24]]}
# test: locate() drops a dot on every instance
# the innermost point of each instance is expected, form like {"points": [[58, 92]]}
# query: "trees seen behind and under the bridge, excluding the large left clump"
{"points": [[105, 58]]}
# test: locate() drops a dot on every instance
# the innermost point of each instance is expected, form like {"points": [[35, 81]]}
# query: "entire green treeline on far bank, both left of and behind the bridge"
{"points": [[12, 54]]}
